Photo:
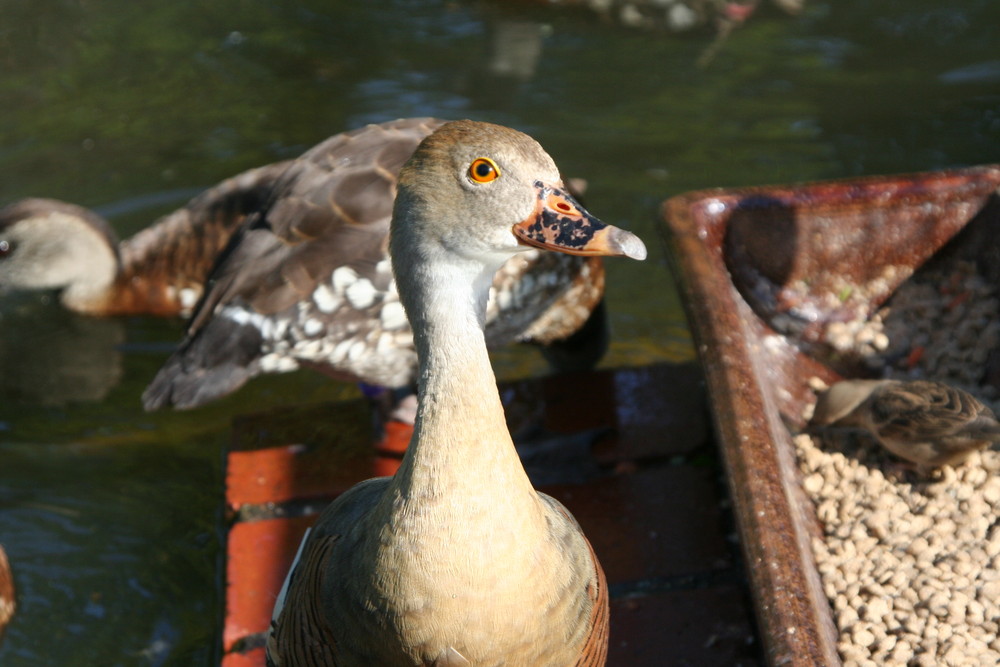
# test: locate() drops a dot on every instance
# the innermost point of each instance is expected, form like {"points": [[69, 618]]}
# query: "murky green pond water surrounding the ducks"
{"points": [[112, 517]]}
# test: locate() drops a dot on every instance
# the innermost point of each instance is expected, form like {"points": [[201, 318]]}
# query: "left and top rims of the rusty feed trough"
{"points": [[774, 516]]}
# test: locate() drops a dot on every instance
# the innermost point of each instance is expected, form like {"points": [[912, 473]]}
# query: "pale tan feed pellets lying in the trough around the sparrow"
{"points": [[911, 564]]}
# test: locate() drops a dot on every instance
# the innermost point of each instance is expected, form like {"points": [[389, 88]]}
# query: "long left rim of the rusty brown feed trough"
{"points": [[793, 614]]}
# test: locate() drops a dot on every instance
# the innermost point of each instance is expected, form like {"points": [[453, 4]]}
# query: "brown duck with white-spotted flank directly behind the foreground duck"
{"points": [[307, 282]]}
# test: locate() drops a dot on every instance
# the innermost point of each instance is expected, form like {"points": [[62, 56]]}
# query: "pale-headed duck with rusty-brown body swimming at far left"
{"points": [[49, 244]]}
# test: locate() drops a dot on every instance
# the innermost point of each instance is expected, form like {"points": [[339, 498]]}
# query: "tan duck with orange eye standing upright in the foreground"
{"points": [[456, 559]]}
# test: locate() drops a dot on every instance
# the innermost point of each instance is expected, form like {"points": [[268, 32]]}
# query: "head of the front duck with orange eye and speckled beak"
{"points": [[480, 192]]}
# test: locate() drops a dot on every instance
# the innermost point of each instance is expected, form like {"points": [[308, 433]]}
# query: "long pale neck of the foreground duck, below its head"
{"points": [[461, 446]]}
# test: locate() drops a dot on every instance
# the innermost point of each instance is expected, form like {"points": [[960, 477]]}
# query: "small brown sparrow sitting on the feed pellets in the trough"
{"points": [[925, 422]]}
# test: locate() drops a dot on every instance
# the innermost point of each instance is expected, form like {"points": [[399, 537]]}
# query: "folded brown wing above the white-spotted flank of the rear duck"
{"points": [[317, 219]]}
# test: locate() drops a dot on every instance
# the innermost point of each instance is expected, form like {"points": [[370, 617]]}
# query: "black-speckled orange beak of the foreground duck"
{"points": [[559, 223]]}
